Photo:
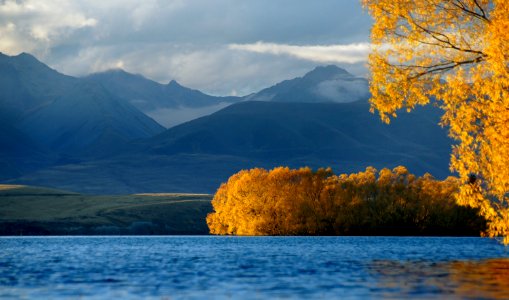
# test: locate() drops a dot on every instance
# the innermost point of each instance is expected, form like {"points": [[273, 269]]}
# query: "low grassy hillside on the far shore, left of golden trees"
{"points": [[29, 210]]}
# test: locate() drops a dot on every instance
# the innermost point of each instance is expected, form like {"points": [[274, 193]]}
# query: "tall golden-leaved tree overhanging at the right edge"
{"points": [[454, 53]]}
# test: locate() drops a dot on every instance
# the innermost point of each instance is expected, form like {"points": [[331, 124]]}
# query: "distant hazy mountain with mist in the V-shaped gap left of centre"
{"points": [[169, 104]]}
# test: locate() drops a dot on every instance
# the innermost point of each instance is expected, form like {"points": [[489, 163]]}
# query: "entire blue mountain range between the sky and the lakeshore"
{"points": [[107, 132]]}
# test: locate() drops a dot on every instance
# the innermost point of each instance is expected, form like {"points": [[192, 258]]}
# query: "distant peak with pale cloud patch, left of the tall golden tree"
{"points": [[323, 84]]}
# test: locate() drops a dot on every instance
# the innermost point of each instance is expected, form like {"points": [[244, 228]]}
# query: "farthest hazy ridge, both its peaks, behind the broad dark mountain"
{"points": [[172, 104]]}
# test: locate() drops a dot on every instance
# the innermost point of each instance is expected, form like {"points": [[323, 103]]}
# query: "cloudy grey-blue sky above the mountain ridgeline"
{"points": [[221, 47]]}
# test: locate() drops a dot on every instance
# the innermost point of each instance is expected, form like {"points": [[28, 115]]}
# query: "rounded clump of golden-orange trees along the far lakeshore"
{"points": [[285, 201]]}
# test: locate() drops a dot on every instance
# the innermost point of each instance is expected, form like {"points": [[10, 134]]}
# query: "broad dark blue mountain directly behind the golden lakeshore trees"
{"points": [[200, 154]]}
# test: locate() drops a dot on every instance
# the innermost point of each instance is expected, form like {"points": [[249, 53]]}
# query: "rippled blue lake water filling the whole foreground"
{"points": [[212, 267]]}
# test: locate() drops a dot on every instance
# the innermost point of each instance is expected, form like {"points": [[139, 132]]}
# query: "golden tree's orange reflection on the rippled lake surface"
{"points": [[485, 279]]}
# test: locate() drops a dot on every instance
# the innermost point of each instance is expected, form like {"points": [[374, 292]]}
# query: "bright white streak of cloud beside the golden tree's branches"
{"points": [[350, 53]]}
